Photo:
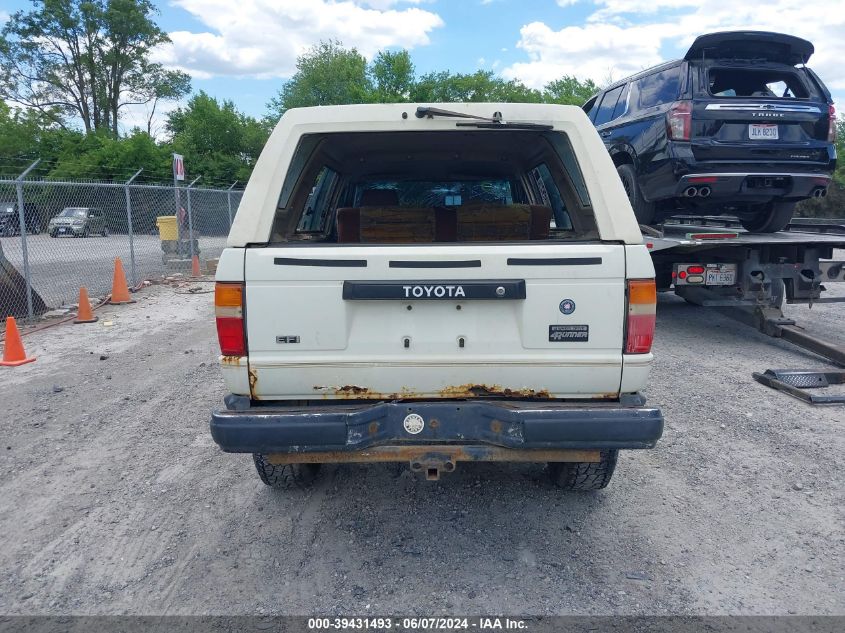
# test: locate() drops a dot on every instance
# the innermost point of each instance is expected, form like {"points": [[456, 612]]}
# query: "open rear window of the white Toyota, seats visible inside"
{"points": [[462, 186]]}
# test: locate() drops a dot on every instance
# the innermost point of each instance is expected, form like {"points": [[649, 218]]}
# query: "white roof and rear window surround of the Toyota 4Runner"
{"points": [[257, 210]]}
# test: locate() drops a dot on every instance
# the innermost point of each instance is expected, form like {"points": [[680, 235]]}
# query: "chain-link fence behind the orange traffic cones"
{"points": [[56, 236]]}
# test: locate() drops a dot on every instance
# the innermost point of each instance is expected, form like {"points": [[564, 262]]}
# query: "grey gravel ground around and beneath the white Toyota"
{"points": [[114, 499]]}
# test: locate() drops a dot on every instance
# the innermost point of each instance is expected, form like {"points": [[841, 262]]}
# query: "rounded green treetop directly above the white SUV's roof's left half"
{"points": [[327, 74]]}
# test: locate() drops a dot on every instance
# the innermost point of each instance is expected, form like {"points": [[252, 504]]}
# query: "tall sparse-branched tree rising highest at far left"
{"points": [[85, 60]]}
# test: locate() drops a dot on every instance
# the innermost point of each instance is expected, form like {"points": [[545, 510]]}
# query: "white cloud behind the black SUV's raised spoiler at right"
{"points": [[623, 36]]}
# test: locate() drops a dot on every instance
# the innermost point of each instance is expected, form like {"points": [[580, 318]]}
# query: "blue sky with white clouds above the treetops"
{"points": [[243, 50]]}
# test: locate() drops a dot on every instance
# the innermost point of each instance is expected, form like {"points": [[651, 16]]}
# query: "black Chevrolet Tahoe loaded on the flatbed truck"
{"points": [[739, 126]]}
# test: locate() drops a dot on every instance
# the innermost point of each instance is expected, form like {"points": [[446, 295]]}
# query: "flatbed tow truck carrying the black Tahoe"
{"points": [[713, 262]]}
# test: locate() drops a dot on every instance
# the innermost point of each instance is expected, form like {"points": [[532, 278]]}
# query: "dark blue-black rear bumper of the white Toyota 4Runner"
{"points": [[508, 424]]}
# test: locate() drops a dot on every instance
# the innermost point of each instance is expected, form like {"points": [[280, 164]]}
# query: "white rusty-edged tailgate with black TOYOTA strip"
{"points": [[441, 327]]}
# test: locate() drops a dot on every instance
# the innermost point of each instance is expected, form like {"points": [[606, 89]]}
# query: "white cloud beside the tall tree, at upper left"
{"points": [[262, 38]]}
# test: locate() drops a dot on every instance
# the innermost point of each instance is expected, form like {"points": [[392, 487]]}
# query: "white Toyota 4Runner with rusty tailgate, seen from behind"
{"points": [[435, 284]]}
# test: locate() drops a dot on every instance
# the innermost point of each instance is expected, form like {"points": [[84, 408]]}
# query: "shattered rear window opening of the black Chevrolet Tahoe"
{"points": [[747, 82]]}
